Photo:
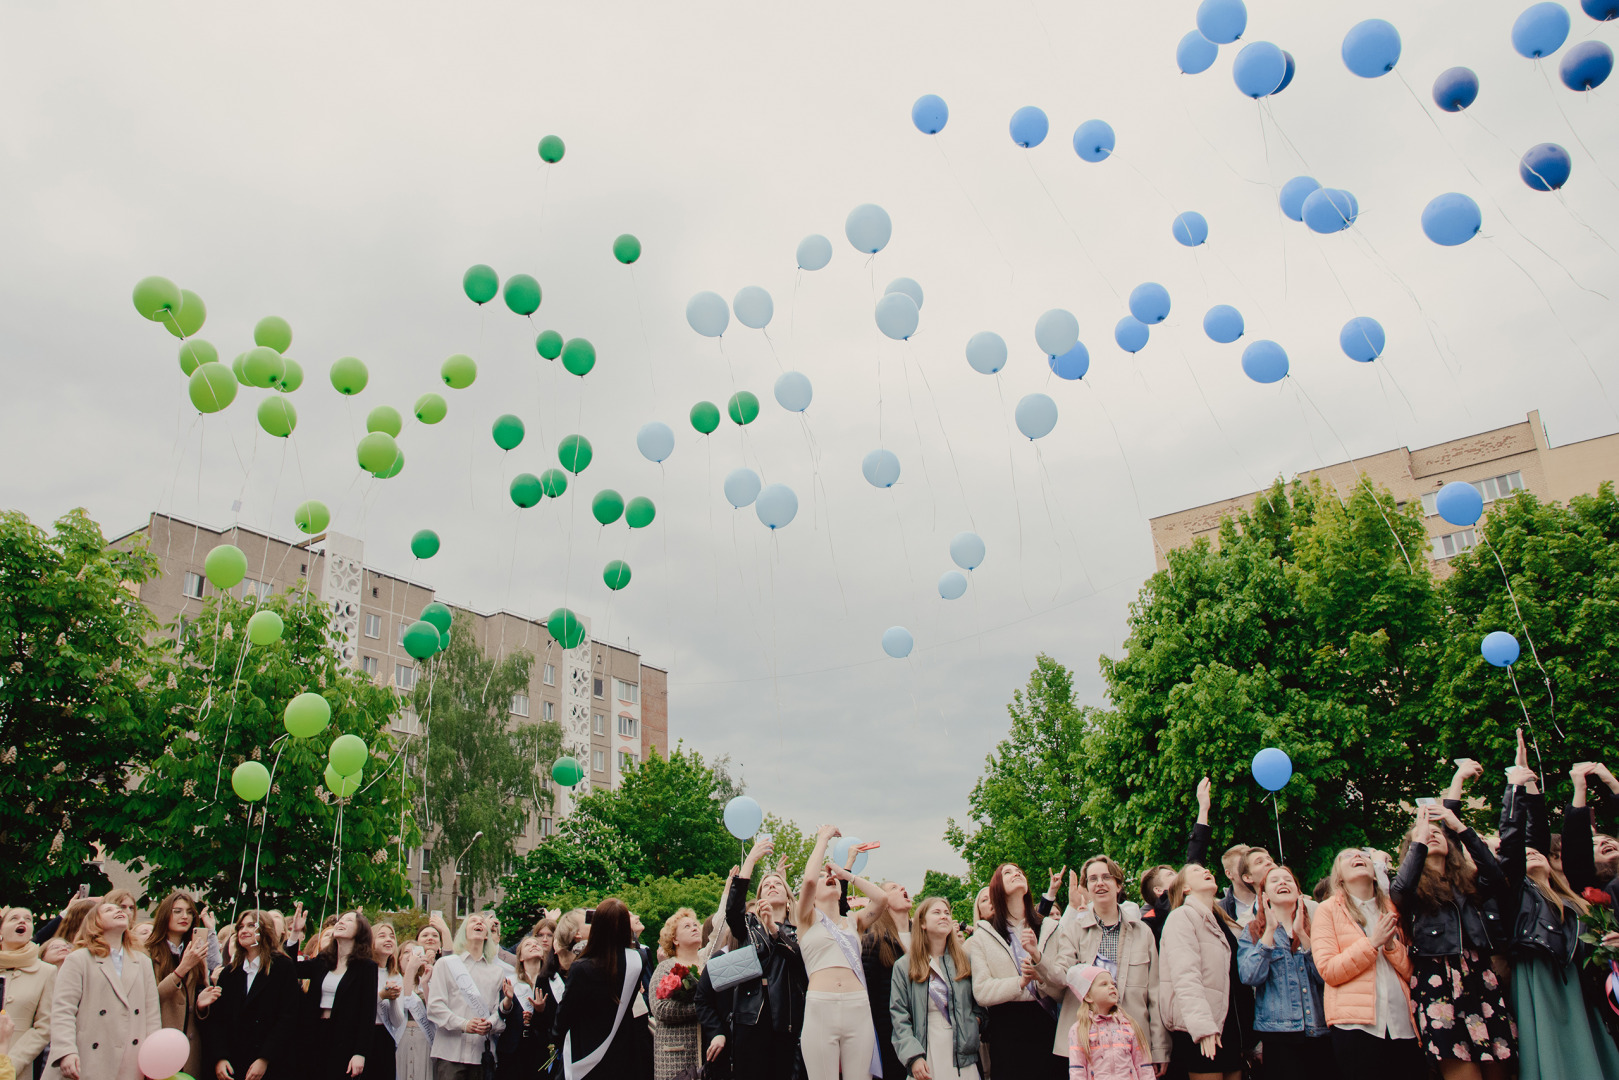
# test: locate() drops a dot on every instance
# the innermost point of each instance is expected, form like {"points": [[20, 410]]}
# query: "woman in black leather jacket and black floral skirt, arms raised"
{"points": [[1463, 1018]]}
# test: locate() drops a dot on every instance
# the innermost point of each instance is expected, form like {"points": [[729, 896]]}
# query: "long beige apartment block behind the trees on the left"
{"points": [[613, 708]]}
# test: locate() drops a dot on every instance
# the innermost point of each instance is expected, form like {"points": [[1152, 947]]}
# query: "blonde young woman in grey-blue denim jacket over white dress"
{"points": [[932, 1008]]}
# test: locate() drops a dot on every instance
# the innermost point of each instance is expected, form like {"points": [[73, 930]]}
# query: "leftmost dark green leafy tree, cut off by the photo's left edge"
{"points": [[75, 699]]}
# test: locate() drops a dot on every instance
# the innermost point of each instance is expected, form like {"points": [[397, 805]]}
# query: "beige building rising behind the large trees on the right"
{"points": [[1497, 462]]}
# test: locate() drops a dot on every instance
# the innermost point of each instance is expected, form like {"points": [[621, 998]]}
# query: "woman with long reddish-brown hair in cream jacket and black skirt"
{"points": [[1006, 953]]}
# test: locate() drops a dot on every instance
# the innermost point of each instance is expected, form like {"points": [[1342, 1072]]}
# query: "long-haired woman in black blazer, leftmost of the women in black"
{"points": [[252, 1016]]}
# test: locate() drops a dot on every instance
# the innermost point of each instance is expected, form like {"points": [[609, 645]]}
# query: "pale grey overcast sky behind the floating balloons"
{"points": [[344, 164]]}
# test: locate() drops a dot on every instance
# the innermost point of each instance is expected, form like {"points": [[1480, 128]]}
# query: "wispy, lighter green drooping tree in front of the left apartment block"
{"points": [[485, 770]]}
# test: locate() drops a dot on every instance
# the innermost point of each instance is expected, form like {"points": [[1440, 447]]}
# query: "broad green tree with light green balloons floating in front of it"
{"points": [[223, 704]]}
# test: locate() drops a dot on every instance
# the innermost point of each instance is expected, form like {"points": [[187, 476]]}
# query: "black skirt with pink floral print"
{"points": [[1461, 1011]]}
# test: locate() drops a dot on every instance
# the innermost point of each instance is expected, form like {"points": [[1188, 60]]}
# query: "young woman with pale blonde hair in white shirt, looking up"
{"points": [[464, 1003]]}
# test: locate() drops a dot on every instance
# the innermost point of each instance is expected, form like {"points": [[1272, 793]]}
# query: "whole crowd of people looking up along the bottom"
{"points": [[1464, 956]]}
